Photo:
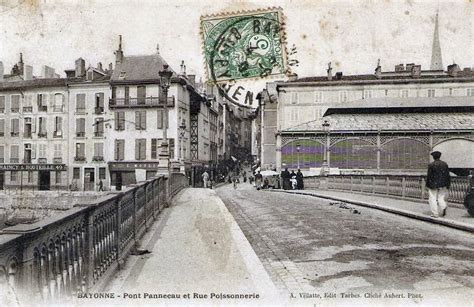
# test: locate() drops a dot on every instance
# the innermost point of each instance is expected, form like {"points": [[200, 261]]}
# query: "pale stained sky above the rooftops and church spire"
{"points": [[350, 34]]}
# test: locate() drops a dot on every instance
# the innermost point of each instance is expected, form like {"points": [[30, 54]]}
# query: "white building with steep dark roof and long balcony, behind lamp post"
{"points": [[137, 106]]}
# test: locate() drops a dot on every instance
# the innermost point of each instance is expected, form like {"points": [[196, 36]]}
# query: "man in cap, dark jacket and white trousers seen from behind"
{"points": [[438, 182]]}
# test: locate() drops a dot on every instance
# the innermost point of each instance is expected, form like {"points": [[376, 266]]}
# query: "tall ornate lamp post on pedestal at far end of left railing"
{"points": [[165, 80]]}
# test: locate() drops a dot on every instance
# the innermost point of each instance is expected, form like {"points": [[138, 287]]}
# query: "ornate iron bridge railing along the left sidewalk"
{"points": [[79, 250]]}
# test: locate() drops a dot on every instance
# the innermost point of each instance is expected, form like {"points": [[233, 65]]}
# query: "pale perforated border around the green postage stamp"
{"points": [[283, 38]]}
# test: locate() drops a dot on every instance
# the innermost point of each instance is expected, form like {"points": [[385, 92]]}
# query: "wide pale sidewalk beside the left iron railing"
{"points": [[196, 248]]}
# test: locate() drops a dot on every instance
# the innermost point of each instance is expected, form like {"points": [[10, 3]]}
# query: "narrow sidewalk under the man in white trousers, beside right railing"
{"points": [[455, 217]]}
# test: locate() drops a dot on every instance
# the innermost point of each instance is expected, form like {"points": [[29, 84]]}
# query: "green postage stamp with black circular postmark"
{"points": [[244, 45]]}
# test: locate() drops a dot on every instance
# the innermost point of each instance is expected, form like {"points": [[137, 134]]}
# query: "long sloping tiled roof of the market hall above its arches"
{"points": [[389, 122]]}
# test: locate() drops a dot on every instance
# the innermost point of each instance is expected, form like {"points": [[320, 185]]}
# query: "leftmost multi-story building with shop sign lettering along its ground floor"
{"points": [[33, 129]]}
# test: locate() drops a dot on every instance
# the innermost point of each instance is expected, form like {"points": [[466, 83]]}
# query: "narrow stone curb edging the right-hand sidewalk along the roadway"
{"points": [[417, 216]]}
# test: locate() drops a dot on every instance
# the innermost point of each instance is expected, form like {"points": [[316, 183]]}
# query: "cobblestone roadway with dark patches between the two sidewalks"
{"points": [[311, 245]]}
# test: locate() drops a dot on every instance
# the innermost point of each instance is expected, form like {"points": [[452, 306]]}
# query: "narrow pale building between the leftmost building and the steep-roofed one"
{"points": [[89, 121]]}
